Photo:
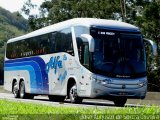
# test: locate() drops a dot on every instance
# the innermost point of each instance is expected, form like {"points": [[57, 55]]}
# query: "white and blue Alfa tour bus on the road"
{"points": [[76, 59]]}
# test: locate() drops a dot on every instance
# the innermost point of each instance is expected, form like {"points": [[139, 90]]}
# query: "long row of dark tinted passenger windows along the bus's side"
{"points": [[60, 41]]}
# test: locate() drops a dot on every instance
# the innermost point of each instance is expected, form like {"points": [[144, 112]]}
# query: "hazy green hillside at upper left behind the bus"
{"points": [[11, 25]]}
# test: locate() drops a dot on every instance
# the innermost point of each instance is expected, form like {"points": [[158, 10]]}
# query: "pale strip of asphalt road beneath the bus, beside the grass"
{"points": [[98, 103]]}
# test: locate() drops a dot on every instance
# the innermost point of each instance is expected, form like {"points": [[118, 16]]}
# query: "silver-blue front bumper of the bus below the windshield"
{"points": [[133, 91]]}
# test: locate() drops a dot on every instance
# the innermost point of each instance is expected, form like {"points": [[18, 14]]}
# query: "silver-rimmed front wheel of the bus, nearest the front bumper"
{"points": [[73, 95]]}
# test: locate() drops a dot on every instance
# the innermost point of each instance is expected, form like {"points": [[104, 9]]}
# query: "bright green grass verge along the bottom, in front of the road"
{"points": [[19, 110]]}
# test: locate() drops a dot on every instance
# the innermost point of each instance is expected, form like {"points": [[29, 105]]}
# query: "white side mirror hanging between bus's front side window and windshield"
{"points": [[88, 38]]}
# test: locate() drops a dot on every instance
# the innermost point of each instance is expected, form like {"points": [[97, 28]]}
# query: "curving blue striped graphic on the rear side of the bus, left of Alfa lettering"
{"points": [[36, 68]]}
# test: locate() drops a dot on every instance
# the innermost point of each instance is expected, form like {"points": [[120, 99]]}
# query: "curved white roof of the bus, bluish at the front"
{"points": [[87, 22]]}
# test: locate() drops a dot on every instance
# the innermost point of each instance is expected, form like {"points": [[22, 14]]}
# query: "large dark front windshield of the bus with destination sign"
{"points": [[118, 54]]}
